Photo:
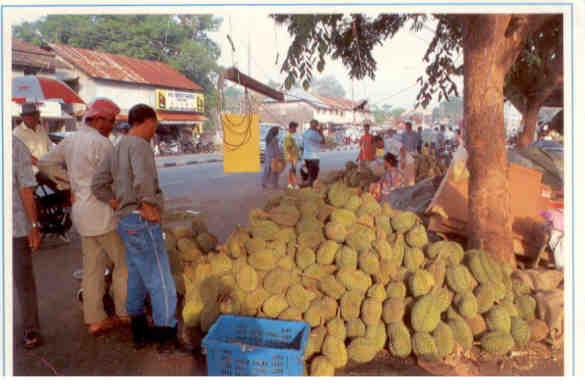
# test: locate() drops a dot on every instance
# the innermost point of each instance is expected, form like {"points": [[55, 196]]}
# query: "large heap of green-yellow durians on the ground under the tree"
{"points": [[364, 277]]}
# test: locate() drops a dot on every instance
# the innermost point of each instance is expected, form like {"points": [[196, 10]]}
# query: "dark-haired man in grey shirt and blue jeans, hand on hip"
{"points": [[131, 180]]}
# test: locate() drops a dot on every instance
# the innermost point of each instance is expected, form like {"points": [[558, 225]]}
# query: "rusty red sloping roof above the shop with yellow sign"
{"points": [[108, 66]]}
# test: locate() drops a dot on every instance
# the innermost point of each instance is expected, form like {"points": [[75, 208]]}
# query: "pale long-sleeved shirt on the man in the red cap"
{"points": [[83, 152]]}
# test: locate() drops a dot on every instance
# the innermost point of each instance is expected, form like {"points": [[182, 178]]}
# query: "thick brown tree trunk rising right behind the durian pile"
{"points": [[490, 219]]}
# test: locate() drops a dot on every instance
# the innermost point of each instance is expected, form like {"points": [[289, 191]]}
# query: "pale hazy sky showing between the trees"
{"points": [[400, 60]]}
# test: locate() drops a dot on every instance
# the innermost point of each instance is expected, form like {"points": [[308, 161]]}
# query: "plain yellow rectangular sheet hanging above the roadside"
{"points": [[241, 143]]}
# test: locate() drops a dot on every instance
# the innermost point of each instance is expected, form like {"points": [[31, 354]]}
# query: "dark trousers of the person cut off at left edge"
{"points": [[24, 286]]}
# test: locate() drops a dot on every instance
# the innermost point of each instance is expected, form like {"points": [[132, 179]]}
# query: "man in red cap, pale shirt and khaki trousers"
{"points": [[94, 220]]}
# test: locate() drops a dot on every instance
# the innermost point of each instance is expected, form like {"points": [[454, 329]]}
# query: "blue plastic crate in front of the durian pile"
{"points": [[246, 346]]}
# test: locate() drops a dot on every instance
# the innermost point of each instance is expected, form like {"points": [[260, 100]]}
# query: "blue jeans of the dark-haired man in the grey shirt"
{"points": [[149, 270]]}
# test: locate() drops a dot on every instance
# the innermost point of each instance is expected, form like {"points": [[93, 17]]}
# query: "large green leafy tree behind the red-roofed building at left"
{"points": [[181, 41]]}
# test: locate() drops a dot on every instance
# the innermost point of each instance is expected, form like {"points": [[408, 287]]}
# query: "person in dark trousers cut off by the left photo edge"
{"points": [[26, 236]]}
